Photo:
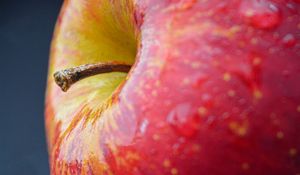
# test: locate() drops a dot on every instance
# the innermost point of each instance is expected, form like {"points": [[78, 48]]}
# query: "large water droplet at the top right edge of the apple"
{"points": [[260, 13]]}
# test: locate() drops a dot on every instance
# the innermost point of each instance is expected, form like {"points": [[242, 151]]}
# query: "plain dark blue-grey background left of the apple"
{"points": [[26, 28]]}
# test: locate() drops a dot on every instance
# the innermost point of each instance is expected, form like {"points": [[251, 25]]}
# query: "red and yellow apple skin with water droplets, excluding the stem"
{"points": [[215, 88]]}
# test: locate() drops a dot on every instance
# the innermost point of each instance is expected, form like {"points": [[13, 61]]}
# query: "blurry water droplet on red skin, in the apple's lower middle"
{"points": [[184, 120]]}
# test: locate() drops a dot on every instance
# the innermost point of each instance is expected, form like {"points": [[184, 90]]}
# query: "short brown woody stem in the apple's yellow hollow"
{"points": [[66, 78]]}
